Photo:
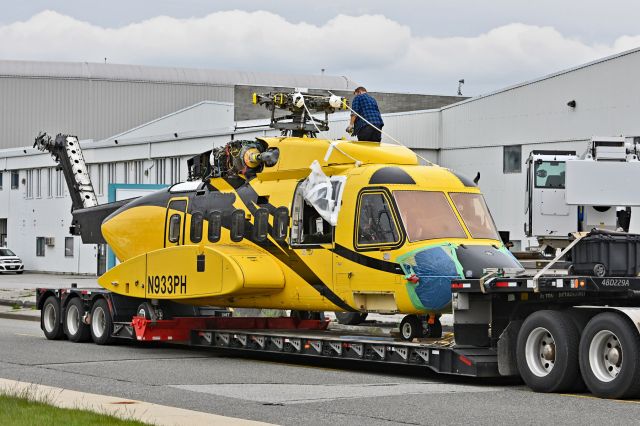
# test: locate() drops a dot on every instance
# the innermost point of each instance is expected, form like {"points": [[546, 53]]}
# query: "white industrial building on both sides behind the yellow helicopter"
{"points": [[492, 134]]}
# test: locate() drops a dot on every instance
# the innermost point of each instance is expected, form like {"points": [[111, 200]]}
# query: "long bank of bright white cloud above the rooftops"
{"points": [[371, 49]]}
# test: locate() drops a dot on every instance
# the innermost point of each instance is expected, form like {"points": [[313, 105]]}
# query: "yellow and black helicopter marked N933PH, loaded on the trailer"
{"points": [[298, 222]]}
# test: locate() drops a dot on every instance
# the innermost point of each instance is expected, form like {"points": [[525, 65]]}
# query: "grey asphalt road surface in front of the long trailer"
{"points": [[288, 391]]}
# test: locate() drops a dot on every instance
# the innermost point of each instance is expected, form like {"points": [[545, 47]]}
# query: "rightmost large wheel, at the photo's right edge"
{"points": [[610, 357]]}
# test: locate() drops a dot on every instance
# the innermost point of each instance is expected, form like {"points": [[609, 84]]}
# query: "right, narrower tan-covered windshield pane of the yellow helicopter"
{"points": [[475, 215]]}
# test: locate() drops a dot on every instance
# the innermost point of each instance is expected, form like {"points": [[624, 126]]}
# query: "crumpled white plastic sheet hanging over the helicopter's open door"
{"points": [[324, 193]]}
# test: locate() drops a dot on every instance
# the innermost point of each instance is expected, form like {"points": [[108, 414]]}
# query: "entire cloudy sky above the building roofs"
{"points": [[405, 46]]}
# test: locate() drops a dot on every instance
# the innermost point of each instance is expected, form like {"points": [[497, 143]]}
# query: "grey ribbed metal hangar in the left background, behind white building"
{"points": [[88, 108]]}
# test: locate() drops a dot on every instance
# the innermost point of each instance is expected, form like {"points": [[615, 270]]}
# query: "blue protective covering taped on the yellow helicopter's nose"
{"points": [[435, 269]]}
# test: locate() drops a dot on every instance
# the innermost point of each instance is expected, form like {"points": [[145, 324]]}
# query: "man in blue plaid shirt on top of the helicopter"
{"points": [[365, 106]]}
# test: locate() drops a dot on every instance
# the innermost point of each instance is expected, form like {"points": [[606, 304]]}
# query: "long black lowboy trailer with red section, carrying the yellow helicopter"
{"points": [[558, 333]]}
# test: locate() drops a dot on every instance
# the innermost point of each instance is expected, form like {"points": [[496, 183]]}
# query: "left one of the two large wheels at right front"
{"points": [[547, 351]]}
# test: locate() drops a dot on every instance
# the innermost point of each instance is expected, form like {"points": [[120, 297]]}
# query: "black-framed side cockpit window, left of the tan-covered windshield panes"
{"points": [[376, 224]]}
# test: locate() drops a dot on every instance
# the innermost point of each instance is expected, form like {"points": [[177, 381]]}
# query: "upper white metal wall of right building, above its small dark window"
{"points": [[607, 97]]}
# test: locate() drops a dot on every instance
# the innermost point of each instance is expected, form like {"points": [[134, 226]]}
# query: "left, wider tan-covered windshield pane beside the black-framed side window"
{"points": [[427, 215]]}
